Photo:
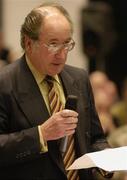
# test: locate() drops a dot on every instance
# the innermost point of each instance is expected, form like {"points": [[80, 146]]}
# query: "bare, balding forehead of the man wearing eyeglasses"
{"points": [[54, 23]]}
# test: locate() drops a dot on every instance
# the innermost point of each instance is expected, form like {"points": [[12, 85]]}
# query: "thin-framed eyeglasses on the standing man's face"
{"points": [[54, 48]]}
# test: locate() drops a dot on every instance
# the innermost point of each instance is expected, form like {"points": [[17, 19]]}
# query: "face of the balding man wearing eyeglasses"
{"points": [[56, 30]]}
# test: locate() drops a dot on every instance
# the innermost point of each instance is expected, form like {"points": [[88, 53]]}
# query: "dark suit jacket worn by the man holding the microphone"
{"points": [[22, 109]]}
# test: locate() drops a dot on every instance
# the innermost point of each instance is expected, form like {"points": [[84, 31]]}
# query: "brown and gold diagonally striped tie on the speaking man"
{"points": [[55, 106]]}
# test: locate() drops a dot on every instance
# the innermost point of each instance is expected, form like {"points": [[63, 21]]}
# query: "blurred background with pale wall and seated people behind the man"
{"points": [[101, 49]]}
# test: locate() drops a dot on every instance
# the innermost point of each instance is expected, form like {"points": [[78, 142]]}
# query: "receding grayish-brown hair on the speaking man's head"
{"points": [[34, 20]]}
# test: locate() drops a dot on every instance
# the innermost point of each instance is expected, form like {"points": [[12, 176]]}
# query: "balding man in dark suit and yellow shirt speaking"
{"points": [[31, 132]]}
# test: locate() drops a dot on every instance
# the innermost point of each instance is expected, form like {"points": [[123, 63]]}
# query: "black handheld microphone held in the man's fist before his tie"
{"points": [[71, 104]]}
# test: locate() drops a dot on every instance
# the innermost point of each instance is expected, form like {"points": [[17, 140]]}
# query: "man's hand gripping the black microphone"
{"points": [[60, 124]]}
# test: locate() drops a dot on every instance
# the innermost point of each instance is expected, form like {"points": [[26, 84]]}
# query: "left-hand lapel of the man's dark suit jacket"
{"points": [[28, 96]]}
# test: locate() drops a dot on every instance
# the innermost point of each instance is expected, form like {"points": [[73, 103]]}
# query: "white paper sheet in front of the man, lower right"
{"points": [[114, 159]]}
